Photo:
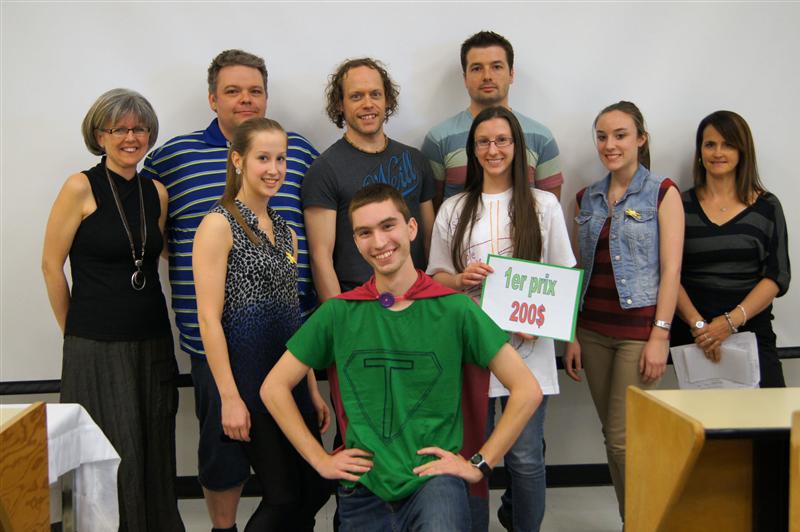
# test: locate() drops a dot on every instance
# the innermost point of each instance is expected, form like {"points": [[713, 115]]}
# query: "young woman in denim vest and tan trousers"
{"points": [[630, 238]]}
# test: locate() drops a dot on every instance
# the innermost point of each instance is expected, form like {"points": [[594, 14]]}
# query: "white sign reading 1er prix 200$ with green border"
{"points": [[532, 297]]}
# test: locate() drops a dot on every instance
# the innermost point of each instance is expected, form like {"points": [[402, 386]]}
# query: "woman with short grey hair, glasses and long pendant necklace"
{"points": [[118, 359]]}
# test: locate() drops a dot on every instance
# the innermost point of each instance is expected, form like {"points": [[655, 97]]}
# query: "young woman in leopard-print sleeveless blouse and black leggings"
{"points": [[245, 271]]}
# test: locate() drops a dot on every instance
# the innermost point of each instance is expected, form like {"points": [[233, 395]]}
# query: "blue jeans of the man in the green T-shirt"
{"points": [[440, 505]]}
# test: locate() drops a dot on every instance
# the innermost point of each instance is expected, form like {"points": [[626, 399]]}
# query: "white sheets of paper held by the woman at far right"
{"points": [[738, 366]]}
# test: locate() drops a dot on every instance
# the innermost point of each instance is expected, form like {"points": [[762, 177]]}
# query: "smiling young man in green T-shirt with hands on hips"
{"points": [[399, 343]]}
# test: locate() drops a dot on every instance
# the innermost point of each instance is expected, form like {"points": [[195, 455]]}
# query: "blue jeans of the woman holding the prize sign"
{"points": [[525, 466]]}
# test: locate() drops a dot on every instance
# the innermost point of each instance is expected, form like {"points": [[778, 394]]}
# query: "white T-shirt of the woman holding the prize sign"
{"points": [[492, 234]]}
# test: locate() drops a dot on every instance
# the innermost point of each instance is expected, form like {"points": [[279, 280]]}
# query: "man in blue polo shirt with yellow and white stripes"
{"points": [[192, 167]]}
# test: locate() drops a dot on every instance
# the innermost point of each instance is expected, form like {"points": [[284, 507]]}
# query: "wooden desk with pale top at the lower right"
{"points": [[690, 460]]}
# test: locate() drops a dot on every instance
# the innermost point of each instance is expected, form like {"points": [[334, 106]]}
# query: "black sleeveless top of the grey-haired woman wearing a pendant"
{"points": [[104, 305]]}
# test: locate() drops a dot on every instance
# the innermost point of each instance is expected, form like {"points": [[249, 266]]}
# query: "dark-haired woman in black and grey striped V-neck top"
{"points": [[735, 258]]}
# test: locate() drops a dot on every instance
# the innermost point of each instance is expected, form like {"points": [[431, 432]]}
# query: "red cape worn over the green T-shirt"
{"points": [[475, 381]]}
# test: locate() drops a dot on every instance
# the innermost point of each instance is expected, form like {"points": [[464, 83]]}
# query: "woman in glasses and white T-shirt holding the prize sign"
{"points": [[499, 213]]}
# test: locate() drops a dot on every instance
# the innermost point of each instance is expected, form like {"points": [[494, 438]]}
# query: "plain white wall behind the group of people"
{"points": [[678, 62]]}
